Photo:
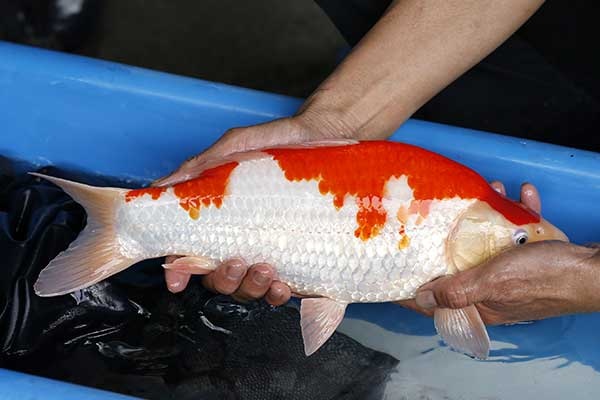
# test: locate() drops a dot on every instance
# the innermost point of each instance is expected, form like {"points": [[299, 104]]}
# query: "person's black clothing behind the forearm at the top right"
{"points": [[542, 84]]}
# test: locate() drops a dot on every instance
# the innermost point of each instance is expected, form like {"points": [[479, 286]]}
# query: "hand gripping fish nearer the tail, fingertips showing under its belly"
{"points": [[235, 277]]}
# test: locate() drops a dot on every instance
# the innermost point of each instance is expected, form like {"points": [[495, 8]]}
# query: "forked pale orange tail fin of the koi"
{"points": [[94, 255]]}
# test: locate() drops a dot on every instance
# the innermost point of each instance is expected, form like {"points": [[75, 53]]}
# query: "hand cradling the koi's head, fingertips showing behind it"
{"points": [[535, 281]]}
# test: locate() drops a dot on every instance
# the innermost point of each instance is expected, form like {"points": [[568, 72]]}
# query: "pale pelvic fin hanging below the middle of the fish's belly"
{"points": [[319, 317]]}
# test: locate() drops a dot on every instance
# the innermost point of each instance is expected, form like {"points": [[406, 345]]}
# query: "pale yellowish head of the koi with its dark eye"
{"points": [[482, 232]]}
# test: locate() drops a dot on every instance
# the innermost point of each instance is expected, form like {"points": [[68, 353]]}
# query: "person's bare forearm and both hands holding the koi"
{"points": [[414, 51]]}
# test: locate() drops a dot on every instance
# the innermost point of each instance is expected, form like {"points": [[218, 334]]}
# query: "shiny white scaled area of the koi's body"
{"points": [[267, 218]]}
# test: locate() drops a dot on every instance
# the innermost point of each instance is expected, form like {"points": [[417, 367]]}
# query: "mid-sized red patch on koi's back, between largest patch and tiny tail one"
{"points": [[207, 189]]}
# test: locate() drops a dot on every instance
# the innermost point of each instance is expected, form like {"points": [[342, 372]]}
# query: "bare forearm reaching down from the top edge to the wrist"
{"points": [[416, 49]]}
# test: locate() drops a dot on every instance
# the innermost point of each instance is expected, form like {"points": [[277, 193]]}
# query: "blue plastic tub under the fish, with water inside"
{"points": [[132, 123]]}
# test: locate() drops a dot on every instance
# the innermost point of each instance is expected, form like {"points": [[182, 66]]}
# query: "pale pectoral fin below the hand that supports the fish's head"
{"points": [[463, 330]]}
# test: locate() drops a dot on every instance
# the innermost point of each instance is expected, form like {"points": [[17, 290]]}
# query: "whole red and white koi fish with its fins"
{"points": [[342, 221]]}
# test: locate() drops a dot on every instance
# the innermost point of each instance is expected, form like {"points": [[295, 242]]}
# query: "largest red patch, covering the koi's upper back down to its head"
{"points": [[363, 169]]}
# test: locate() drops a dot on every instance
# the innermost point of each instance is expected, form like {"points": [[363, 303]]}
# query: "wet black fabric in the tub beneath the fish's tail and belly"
{"points": [[129, 334]]}
